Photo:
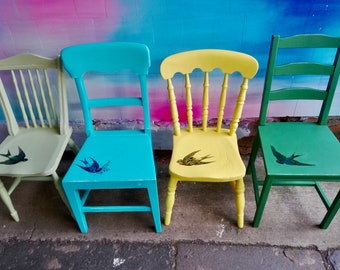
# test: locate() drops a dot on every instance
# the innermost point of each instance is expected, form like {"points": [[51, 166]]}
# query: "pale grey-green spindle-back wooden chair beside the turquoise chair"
{"points": [[33, 101]]}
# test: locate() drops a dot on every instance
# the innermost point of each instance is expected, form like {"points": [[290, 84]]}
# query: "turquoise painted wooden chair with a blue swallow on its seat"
{"points": [[111, 158]]}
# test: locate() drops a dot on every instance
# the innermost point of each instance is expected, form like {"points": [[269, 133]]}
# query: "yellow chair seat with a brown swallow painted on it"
{"points": [[224, 162]]}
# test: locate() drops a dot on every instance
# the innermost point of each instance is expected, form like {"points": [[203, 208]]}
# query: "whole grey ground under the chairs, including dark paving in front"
{"points": [[202, 234]]}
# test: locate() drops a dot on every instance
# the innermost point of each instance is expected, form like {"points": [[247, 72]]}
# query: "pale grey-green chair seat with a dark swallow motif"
{"points": [[43, 148]]}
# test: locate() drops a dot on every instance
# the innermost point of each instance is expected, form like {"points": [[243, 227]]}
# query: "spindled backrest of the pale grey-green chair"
{"points": [[31, 89]]}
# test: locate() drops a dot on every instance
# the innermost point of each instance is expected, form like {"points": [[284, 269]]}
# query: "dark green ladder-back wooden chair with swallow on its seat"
{"points": [[298, 153]]}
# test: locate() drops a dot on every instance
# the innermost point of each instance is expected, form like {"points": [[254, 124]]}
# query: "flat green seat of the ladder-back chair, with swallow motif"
{"points": [[306, 141]]}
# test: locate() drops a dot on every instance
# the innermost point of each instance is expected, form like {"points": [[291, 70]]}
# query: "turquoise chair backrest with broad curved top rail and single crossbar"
{"points": [[109, 58]]}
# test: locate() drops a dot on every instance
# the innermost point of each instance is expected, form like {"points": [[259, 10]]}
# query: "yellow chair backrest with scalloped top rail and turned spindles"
{"points": [[208, 60]]}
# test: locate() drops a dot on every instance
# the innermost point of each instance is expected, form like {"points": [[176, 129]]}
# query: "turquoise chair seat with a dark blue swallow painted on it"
{"points": [[119, 161]]}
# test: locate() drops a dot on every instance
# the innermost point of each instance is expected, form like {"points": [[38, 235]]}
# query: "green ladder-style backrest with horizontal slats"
{"points": [[287, 69]]}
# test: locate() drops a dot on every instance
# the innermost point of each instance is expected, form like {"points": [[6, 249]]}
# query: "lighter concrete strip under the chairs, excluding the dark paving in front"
{"points": [[202, 212]]}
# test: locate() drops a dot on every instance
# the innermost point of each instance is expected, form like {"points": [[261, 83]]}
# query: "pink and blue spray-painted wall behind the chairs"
{"points": [[166, 27]]}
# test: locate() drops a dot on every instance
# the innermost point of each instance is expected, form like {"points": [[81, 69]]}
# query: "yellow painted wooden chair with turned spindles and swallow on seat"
{"points": [[205, 153]]}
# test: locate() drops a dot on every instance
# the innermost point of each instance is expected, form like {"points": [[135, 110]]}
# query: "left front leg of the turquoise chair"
{"points": [[76, 206]]}
